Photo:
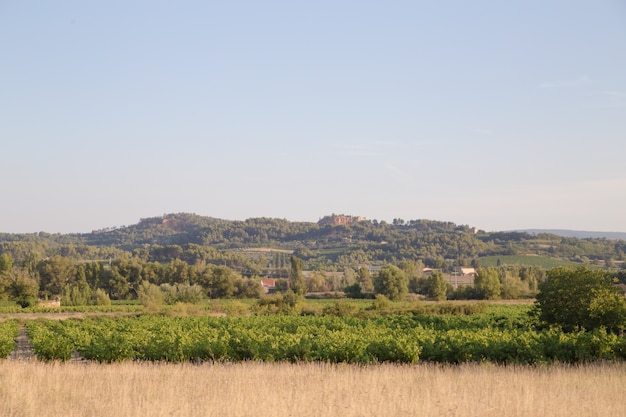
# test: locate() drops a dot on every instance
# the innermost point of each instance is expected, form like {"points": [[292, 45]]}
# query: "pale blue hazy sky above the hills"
{"points": [[499, 115]]}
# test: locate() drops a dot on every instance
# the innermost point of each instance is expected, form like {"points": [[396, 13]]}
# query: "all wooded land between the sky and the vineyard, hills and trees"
{"points": [[188, 257]]}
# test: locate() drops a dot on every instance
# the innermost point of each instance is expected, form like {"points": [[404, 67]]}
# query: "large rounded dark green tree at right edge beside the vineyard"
{"points": [[581, 298]]}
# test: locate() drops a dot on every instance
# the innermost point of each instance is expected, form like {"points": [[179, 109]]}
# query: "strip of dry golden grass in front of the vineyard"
{"points": [[257, 389]]}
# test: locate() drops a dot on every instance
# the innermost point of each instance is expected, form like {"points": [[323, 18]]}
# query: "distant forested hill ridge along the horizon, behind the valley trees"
{"points": [[345, 240]]}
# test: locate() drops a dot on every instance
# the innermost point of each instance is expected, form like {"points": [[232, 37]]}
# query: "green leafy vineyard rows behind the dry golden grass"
{"points": [[489, 337]]}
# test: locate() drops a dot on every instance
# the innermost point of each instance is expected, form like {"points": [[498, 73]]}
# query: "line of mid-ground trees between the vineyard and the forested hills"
{"points": [[79, 282]]}
